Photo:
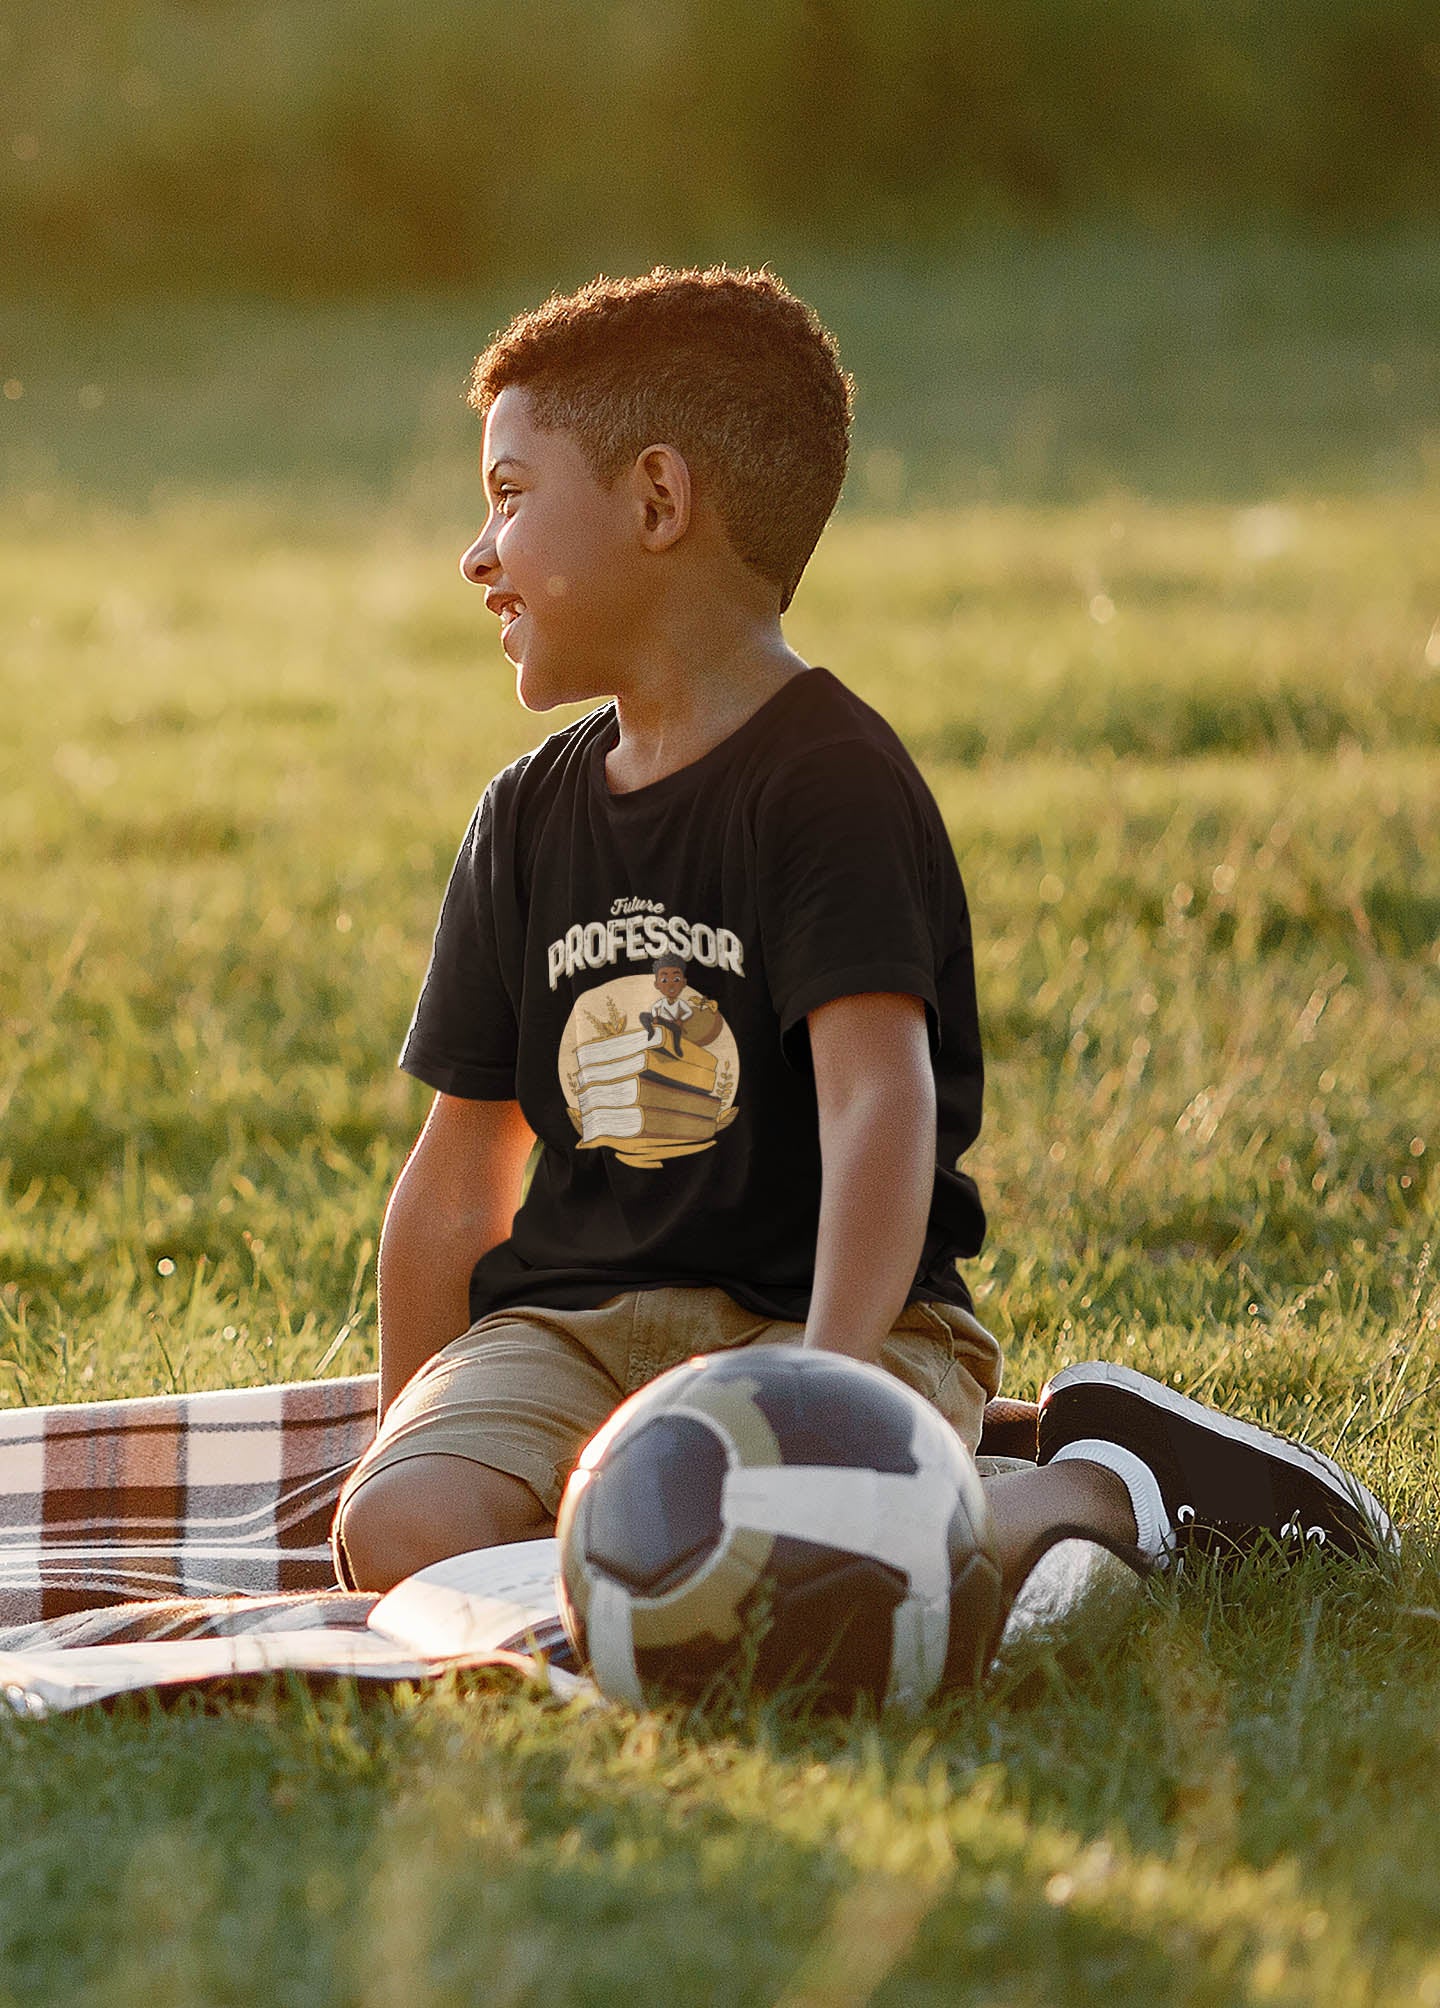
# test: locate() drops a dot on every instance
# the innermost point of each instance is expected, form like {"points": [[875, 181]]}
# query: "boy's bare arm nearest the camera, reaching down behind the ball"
{"points": [[877, 1093]]}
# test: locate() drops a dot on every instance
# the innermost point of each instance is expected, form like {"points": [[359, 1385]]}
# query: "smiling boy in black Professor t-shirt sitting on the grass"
{"points": [[660, 459]]}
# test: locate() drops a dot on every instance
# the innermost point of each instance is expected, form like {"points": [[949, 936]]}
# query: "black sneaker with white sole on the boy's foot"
{"points": [[1224, 1483]]}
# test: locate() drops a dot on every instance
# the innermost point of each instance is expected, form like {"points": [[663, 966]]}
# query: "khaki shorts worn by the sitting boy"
{"points": [[527, 1389]]}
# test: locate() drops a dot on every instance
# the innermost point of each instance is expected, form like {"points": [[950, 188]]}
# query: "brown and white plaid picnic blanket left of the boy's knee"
{"points": [[176, 1497]]}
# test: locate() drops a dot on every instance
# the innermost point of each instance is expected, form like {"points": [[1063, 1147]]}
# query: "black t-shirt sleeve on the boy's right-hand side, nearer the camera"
{"points": [[845, 876]]}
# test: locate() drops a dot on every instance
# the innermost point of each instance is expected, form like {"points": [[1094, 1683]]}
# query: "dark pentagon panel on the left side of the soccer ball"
{"points": [[656, 1505]]}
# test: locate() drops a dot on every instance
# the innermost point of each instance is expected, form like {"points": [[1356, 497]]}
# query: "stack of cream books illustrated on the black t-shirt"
{"points": [[642, 1099]]}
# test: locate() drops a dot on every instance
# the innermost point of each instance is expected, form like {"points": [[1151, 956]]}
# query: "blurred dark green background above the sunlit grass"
{"points": [[1188, 248]]}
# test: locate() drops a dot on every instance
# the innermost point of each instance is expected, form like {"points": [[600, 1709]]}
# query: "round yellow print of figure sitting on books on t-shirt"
{"points": [[650, 1067]]}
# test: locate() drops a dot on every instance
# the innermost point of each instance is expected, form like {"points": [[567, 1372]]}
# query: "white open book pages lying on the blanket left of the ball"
{"points": [[495, 1607]]}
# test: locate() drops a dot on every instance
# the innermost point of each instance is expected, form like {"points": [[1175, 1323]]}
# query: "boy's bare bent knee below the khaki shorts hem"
{"points": [[407, 1517]]}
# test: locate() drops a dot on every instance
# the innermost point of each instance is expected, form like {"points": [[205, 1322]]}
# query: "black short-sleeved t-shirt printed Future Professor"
{"points": [[636, 971]]}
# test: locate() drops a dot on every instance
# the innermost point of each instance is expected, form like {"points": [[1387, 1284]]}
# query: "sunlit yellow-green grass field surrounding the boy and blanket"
{"points": [[1190, 756]]}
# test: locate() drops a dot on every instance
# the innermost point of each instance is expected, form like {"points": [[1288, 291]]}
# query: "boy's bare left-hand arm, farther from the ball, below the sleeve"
{"points": [[455, 1200]]}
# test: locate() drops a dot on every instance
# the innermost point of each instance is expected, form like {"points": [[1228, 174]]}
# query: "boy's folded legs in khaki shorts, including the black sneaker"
{"points": [[479, 1447]]}
